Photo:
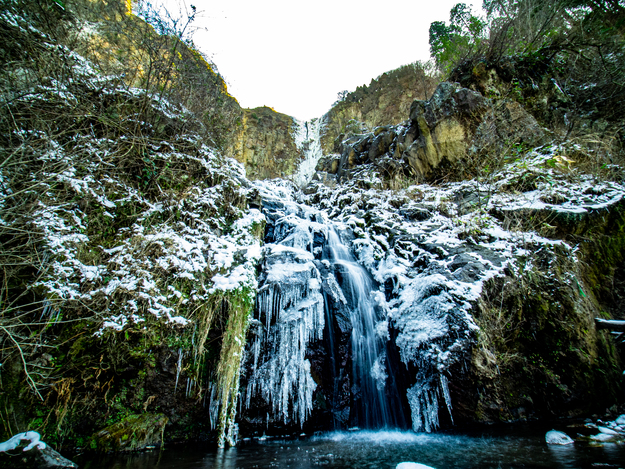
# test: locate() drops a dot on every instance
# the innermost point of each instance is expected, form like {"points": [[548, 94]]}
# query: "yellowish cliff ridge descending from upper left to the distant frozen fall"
{"points": [[124, 45]]}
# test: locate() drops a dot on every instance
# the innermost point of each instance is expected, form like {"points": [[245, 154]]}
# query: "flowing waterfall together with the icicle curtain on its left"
{"points": [[309, 276]]}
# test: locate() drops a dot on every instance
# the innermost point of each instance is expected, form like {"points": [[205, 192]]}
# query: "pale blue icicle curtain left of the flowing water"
{"points": [[289, 315]]}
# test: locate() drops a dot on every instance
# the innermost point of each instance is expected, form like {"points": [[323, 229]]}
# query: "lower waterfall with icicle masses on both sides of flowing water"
{"points": [[329, 341]]}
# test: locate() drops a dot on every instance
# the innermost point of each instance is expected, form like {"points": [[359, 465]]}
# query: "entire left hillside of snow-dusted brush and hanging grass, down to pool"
{"points": [[115, 219]]}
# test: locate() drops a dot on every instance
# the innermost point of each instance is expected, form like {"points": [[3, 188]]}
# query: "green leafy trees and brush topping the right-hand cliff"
{"points": [[562, 59]]}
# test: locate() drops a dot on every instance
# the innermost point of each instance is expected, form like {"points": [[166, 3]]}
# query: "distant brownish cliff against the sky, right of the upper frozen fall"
{"points": [[385, 101]]}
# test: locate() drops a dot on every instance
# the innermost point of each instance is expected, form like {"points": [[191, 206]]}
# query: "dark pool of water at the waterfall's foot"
{"points": [[521, 447]]}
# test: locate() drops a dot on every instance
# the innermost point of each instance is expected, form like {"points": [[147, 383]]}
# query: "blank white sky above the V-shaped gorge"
{"points": [[296, 56]]}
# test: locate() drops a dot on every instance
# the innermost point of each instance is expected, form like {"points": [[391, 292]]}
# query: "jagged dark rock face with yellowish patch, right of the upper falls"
{"points": [[446, 136]]}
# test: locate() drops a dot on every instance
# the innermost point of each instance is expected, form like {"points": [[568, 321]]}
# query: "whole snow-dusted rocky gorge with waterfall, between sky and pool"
{"points": [[428, 255]]}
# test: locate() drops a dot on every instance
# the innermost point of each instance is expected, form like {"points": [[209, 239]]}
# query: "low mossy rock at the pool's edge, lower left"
{"points": [[134, 433]]}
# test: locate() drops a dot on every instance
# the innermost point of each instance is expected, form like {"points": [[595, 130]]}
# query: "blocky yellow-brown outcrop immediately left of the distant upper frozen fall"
{"points": [[265, 145]]}
